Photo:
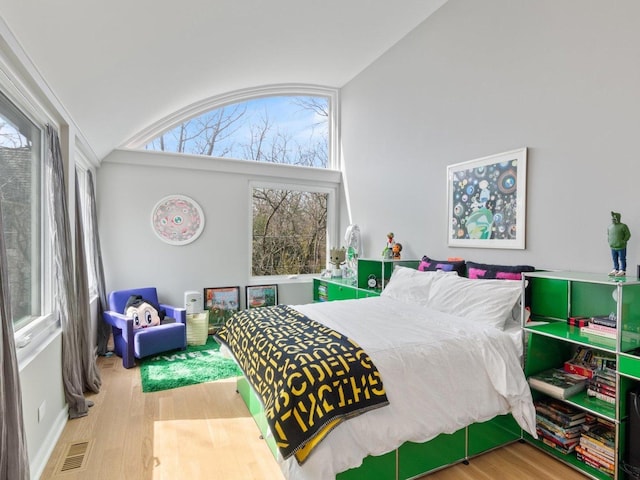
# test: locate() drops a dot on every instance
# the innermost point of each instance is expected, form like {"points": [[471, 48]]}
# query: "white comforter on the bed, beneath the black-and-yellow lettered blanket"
{"points": [[440, 372]]}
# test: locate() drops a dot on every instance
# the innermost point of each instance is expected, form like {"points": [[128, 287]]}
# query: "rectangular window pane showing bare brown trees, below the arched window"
{"points": [[289, 231]]}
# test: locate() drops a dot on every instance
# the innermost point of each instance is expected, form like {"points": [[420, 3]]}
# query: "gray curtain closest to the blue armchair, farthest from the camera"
{"points": [[104, 331]]}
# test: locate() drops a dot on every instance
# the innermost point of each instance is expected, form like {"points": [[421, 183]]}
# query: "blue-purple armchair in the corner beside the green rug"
{"points": [[133, 343]]}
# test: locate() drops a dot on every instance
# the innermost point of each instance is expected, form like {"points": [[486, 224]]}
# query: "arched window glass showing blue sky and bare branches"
{"points": [[292, 129]]}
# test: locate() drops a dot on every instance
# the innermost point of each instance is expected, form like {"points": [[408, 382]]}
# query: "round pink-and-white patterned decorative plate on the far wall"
{"points": [[177, 220]]}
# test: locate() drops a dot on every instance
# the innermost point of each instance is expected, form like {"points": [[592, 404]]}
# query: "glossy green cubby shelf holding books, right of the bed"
{"points": [[554, 297]]}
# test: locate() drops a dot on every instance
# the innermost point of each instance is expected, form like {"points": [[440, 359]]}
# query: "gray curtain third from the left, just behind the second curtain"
{"points": [[90, 372]]}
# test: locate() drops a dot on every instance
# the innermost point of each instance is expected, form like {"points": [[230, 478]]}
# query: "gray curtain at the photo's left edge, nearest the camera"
{"points": [[14, 459]]}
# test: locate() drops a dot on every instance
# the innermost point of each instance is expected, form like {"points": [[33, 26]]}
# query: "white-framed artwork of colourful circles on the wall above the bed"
{"points": [[486, 201]]}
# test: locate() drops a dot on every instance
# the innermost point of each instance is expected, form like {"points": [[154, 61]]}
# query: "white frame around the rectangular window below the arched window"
{"points": [[305, 186]]}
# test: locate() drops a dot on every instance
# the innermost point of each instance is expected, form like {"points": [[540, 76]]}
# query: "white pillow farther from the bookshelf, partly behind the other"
{"points": [[412, 286]]}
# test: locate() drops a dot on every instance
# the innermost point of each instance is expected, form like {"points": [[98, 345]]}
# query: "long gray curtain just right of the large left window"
{"points": [[64, 292]]}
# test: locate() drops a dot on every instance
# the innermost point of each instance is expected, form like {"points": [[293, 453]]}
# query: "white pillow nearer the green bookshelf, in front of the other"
{"points": [[486, 301]]}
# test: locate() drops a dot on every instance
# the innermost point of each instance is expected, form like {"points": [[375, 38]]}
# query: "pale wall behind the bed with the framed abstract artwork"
{"points": [[477, 78]]}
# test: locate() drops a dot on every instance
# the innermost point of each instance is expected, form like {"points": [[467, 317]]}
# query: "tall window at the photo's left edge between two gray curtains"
{"points": [[20, 193]]}
